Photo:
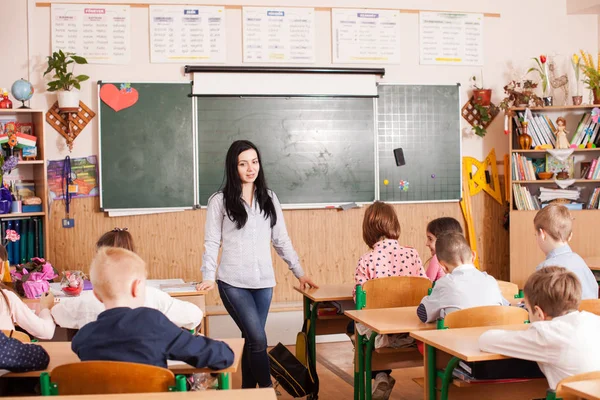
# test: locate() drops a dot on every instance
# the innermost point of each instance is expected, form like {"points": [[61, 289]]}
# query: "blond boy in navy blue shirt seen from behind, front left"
{"points": [[129, 332]]}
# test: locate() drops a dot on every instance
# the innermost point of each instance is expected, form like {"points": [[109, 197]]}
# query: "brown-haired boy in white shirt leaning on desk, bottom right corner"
{"points": [[562, 340]]}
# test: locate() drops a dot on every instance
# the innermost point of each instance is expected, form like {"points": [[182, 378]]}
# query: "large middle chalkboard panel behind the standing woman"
{"points": [[314, 150]]}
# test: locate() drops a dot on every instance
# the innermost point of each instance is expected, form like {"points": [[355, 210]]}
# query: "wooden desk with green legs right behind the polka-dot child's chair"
{"points": [[384, 321]]}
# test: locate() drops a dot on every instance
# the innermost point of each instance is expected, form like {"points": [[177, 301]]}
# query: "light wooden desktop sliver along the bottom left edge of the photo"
{"points": [[246, 394]]}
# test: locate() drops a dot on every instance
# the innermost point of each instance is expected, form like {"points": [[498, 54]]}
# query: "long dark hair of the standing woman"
{"points": [[232, 190]]}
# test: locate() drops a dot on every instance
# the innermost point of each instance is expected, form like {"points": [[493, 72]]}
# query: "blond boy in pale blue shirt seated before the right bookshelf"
{"points": [[553, 230]]}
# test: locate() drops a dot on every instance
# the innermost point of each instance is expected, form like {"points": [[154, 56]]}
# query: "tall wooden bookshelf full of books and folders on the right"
{"points": [[529, 193]]}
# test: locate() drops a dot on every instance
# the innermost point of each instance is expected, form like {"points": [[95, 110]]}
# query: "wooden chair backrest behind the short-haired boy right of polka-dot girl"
{"points": [[486, 316]]}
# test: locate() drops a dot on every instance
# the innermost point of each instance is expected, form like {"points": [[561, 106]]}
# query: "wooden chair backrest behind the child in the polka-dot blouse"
{"points": [[395, 291]]}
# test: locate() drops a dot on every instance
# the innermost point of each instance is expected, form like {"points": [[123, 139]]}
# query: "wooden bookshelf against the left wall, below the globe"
{"points": [[31, 170]]}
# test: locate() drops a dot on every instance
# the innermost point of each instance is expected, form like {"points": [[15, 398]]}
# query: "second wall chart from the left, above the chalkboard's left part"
{"points": [[187, 34]]}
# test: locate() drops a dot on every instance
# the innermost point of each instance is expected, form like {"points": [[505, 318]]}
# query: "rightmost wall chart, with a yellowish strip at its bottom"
{"points": [[451, 38]]}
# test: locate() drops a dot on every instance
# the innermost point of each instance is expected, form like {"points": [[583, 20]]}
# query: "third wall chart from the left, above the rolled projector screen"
{"points": [[279, 35]]}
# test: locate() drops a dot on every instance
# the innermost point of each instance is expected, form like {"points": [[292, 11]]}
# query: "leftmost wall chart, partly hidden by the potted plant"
{"points": [[99, 33]]}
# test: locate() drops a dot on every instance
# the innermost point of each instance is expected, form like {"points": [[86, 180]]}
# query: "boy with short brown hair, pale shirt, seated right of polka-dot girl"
{"points": [[464, 286]]}
